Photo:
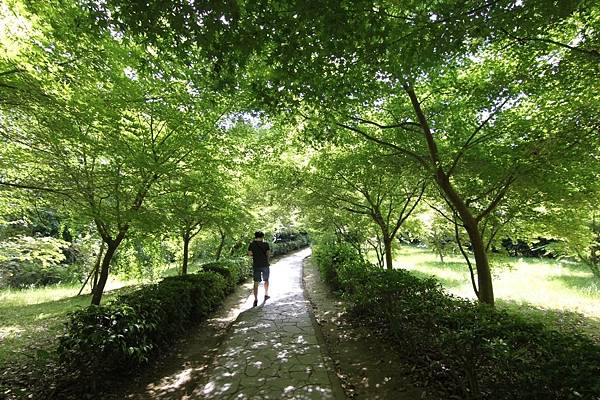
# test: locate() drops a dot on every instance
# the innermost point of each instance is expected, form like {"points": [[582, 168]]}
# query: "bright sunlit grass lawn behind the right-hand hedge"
{"points": [[559, 293]]}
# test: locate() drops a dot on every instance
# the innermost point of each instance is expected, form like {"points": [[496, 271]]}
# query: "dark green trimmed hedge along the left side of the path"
{"points": [[108, 344]]}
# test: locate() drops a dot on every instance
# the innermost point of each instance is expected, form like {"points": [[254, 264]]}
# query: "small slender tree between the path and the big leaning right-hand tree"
{"points": [[359, 180]]}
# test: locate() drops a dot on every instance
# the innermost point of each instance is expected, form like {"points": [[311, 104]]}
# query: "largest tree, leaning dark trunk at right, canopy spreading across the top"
{"points": [[473, 93]]}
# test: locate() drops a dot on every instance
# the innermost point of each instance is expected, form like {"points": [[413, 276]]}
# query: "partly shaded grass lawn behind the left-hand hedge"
{"points": [[32, 319]]}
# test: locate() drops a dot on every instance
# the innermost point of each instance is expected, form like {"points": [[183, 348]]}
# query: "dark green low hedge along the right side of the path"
{"points": [[469, 350]]}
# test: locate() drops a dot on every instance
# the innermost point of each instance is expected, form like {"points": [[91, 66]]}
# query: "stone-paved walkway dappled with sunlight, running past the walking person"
{"points": [[273, 351]]}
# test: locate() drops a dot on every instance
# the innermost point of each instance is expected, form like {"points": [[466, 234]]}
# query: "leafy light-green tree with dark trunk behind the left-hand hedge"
{"points": [[110, 132]]}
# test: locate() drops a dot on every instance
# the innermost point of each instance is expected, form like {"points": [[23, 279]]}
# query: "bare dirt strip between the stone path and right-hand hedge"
{"points": [[366, 366]]}
